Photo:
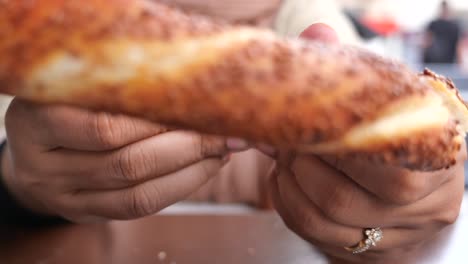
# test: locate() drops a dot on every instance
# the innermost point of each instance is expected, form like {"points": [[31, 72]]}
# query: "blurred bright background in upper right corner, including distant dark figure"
{"points": [[421, 33]]}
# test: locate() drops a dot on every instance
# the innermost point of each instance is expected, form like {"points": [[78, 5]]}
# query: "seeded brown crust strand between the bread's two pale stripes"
{"points": [[274, 99]]}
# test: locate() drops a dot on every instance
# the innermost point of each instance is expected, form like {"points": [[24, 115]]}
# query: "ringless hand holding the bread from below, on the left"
{"points": [[86, 166]]}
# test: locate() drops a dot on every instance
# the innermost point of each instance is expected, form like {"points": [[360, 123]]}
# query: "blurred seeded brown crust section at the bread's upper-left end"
{"points": [[30, 29]]}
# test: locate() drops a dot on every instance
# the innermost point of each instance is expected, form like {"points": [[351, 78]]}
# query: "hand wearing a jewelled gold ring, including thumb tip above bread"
{"points": [[329, 201]]}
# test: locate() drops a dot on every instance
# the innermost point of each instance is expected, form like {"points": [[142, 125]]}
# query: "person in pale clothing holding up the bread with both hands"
{"points": [[63, 163]]}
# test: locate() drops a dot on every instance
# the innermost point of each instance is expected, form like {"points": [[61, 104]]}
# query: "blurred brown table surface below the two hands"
{"points": [[210, 238]]}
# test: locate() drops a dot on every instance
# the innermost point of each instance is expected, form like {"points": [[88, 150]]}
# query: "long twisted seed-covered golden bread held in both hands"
{"points": [[148, 60]]}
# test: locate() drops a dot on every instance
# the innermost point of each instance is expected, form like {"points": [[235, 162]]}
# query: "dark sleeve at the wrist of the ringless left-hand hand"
{"points": [[12, 214]]}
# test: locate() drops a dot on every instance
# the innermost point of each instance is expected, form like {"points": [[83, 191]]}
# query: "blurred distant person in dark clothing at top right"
{"points": [[442, 38]]}
